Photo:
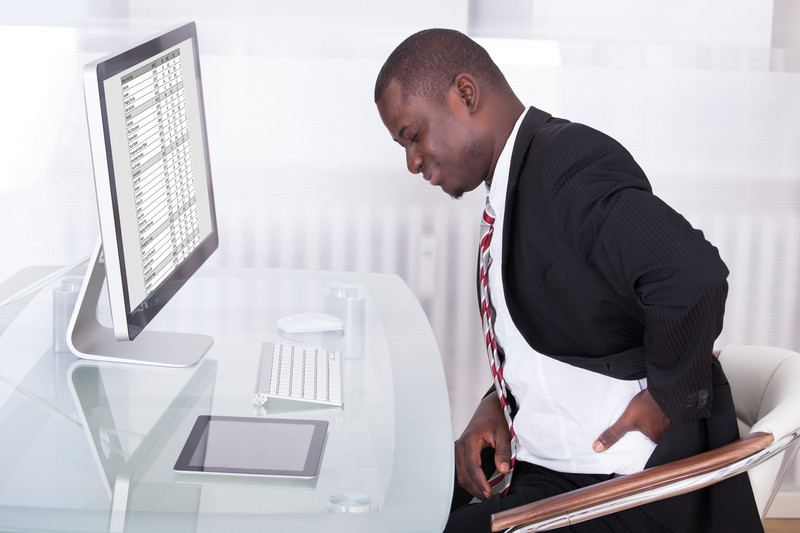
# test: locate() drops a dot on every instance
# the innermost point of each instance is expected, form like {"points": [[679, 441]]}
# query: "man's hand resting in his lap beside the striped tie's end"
{"points": [[487, 429]]}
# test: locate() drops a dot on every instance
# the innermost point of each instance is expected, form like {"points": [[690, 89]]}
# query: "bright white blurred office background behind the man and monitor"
{"points": [[705, 95]]}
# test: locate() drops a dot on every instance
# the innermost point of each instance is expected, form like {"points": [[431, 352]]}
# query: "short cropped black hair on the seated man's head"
{"points": [[426, 64]]}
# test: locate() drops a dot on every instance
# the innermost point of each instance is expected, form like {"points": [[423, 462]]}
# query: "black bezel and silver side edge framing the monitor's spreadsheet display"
{"points": [[129, 321]]}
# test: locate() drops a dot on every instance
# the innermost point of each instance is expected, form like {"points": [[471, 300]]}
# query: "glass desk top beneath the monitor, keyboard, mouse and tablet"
{"points": [[90, 446]]}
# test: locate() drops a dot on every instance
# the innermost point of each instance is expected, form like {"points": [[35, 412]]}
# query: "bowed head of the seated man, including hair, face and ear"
{"points": [[446, 102]]}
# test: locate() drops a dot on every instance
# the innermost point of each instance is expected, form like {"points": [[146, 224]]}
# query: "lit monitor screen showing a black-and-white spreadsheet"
{"points": [[157, 155]]}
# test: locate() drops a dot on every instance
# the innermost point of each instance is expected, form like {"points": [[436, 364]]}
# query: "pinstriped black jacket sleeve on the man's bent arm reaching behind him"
{"points": [[648, 253]]}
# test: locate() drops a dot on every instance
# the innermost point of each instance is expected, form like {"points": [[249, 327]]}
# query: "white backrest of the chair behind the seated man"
{"points": [[765, 382]]}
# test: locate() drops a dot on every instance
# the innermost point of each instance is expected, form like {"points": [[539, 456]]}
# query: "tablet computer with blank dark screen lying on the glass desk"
{"points": [[248, 446]]}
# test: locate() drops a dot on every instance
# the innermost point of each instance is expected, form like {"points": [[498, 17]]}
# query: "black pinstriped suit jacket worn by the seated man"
{"points": [[600, 273]]}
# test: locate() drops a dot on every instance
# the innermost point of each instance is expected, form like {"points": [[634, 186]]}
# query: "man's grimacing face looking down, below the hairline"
{"points": [[440, 138]]}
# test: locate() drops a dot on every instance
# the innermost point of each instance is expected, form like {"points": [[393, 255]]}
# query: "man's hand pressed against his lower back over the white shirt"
{"points": [[642, 414]]}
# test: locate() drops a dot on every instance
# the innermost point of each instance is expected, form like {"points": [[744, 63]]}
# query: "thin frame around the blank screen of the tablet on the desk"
{"points": [[195, 439]]}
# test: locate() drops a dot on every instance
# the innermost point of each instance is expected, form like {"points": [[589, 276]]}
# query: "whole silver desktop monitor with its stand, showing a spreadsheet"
{"points": [[144, 107]]}
